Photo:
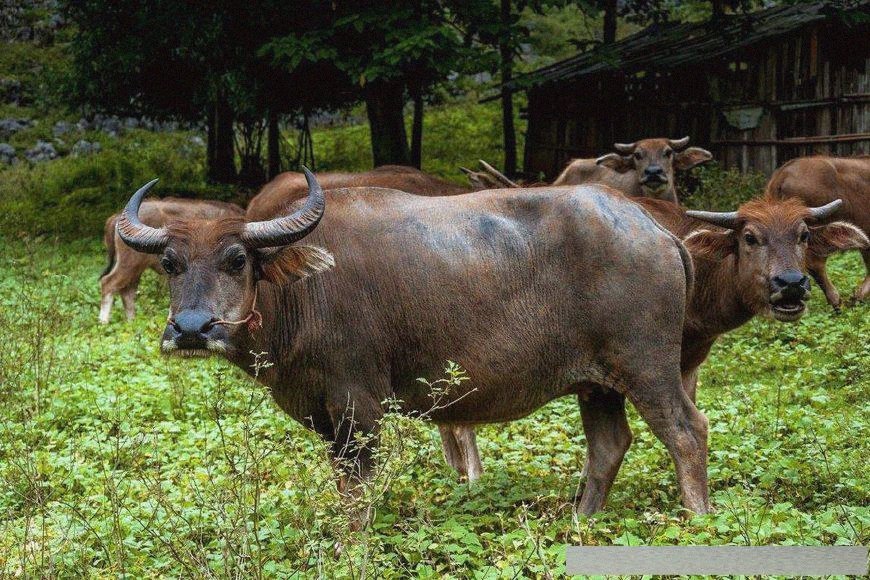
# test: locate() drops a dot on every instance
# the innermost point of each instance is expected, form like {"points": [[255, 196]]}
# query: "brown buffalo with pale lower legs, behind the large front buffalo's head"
{"points": [[125, 265]]}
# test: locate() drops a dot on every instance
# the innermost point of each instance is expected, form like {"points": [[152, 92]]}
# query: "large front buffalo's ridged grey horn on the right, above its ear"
{"points": [[286, 230]]}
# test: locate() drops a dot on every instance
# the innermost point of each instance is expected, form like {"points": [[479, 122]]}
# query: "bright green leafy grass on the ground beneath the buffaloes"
{"points": [[117, 461]]}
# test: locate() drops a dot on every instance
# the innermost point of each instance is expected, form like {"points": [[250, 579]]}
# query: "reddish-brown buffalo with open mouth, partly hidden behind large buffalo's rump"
{"points": [[747, 263]]}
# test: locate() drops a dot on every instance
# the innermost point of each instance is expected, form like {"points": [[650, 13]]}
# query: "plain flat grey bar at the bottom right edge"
{"points": [[784, 560]]}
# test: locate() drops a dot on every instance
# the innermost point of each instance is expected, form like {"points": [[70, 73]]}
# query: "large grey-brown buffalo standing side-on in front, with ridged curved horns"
{"points": [[537, 293]]}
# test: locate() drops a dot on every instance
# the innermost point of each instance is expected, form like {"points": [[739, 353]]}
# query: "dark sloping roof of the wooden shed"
{"points": [[664, 46]]}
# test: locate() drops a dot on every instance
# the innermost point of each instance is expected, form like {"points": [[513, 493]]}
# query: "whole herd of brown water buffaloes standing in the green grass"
{"points": [[599, 285]]}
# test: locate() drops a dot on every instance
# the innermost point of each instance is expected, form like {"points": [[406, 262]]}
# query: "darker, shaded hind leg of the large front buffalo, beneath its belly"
{"points": [[608, 437]]}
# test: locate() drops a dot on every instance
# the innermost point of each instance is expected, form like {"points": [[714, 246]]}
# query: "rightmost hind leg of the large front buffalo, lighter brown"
{"points": [[678, 424]]}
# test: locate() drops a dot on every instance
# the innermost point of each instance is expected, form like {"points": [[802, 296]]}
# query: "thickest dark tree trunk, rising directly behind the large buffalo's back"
{"points": [[385, 101]]}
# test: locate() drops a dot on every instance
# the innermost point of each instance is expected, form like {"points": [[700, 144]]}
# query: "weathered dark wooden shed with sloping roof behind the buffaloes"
{"points": [[756, 89]]}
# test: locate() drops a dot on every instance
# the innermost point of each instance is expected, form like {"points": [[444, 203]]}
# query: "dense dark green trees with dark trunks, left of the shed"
{"points": [[241, 68]]}
